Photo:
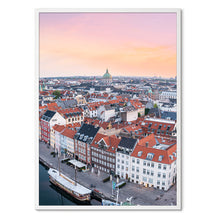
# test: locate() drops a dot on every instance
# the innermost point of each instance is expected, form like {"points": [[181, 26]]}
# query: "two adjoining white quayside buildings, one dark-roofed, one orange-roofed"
{"points": [[150, 161]]}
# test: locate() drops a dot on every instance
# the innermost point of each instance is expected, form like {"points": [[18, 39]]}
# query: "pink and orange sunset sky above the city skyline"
{"points": [[128, 44]]}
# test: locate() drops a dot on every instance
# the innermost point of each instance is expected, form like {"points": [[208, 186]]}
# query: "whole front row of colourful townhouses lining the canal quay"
{"points": [[150, 161]]}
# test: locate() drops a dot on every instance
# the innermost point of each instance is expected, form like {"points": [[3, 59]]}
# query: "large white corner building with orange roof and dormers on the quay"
{"points": [[153, 163]]}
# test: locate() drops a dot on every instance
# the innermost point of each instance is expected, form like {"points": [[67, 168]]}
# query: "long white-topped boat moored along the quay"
{"points": [[76, 190]]}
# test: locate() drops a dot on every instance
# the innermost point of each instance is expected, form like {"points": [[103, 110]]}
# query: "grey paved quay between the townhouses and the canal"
{"points": [[140, 195]]}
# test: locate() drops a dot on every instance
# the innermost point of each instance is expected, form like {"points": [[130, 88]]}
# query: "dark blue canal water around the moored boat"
{"points": [[51, 195]]}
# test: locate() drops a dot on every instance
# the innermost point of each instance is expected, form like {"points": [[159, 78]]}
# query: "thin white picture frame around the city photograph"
{"points": [[179, 108]]}
